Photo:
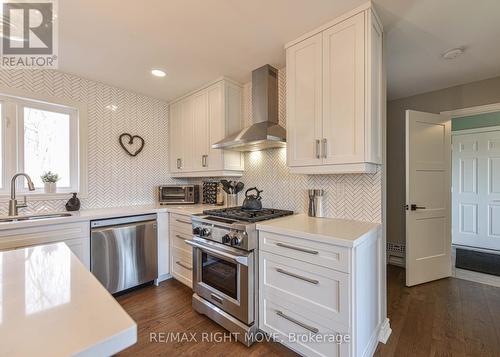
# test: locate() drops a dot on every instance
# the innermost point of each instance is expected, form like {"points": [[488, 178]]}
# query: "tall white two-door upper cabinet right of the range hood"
{"points": [[334, 97]]}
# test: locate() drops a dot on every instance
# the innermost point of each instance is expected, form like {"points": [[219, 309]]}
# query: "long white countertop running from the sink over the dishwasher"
{"points": [[100, 213]]}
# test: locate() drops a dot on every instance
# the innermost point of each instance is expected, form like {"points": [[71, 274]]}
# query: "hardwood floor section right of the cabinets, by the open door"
{"points": [[448, 317]]}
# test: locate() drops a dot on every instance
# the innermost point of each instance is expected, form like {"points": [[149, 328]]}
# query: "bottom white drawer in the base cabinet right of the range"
{"points": [[296, 330]]}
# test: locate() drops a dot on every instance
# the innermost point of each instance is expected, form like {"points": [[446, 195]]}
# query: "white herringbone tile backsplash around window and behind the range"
{"points": [[115, 179]]}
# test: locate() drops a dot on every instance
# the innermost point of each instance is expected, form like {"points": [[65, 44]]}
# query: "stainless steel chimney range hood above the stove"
{"points": [[265, 132]]}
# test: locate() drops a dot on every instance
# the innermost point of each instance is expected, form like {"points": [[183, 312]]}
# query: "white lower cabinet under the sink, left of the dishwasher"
{"points": [[75, 235]]}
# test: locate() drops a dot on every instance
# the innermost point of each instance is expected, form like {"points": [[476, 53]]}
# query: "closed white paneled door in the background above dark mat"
{"points": [[476, 190]]}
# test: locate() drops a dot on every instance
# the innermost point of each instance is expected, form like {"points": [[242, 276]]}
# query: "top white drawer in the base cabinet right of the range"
{"points": [[326, 255]]}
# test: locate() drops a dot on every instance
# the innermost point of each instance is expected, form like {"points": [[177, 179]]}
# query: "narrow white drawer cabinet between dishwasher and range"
{"points": [[181, 256]]}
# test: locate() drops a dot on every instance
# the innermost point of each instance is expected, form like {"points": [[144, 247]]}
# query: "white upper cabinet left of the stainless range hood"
{"points": [[196, 122]]}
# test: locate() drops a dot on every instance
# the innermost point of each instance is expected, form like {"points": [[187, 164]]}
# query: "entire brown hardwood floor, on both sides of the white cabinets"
{"points": [[449, 317]]}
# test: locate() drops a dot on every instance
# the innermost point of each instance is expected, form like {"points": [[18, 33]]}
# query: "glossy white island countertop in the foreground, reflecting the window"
{"points": [[51, 305]]}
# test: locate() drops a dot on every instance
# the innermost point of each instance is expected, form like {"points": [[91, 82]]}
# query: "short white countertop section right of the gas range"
{"points": [[338, 231]]}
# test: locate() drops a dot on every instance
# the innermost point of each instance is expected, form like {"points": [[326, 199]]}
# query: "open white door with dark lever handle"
{"points": [[428, 196]]}
